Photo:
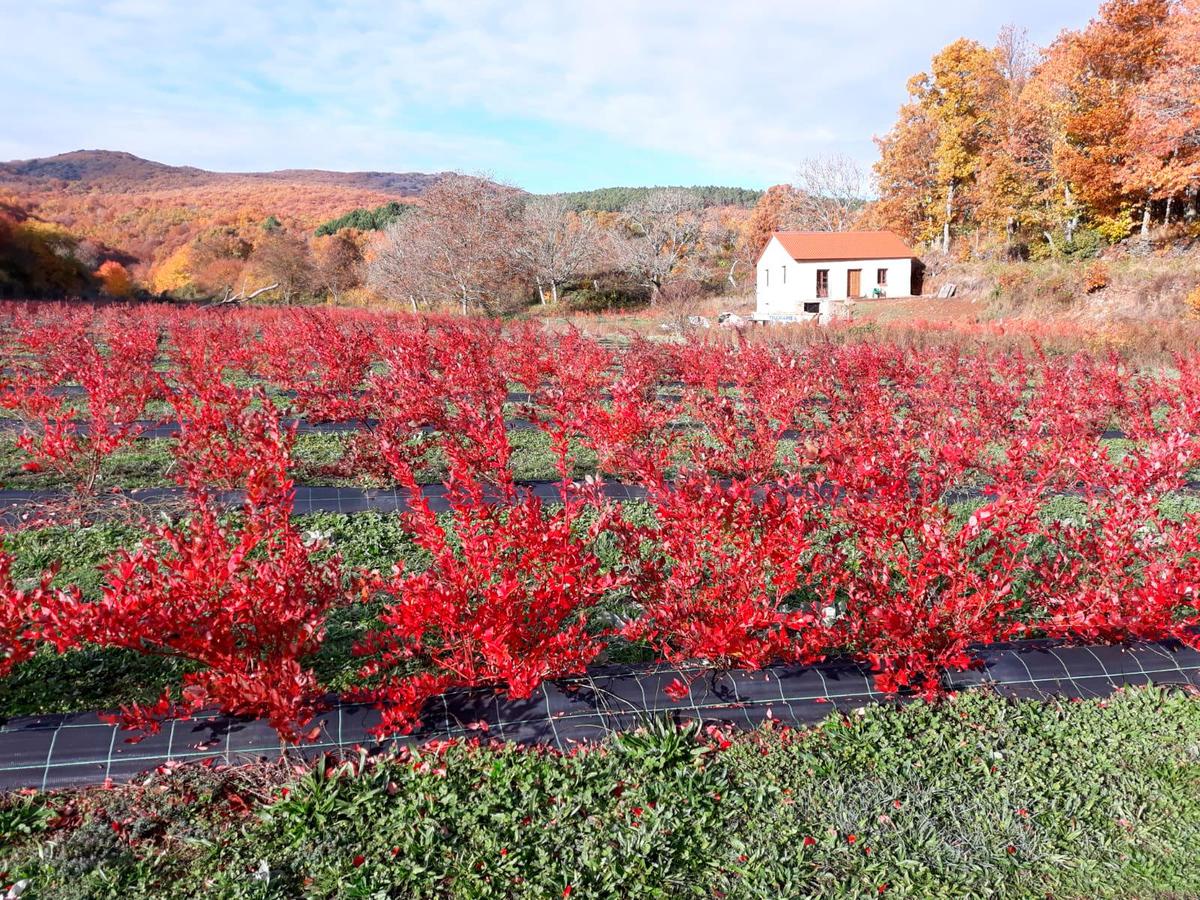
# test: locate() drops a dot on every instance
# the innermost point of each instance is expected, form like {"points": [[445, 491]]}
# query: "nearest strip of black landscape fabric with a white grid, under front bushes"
{"points": [[79, 749]]}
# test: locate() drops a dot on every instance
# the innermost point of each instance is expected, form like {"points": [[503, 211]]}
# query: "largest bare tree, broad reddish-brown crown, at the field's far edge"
{"points": [[458, 248]]}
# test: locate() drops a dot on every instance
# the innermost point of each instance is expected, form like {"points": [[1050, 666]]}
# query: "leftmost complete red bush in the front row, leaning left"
{"points": [[244, 603]]}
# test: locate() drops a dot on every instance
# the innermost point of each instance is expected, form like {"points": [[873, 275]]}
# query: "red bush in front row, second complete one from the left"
{"points": [[503, 604]]}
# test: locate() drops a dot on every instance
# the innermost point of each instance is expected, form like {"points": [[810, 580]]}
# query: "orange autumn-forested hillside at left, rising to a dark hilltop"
{"points": [[173, 229]]}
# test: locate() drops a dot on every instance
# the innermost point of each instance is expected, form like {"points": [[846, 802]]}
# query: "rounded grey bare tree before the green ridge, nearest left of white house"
{"points": [[658, 235]]}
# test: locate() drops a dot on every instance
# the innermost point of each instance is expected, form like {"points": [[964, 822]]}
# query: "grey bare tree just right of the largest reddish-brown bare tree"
{"points": [[557, 244]]}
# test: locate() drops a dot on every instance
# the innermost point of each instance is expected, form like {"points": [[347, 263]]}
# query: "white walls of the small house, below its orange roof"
{"points": [[784, 285]]}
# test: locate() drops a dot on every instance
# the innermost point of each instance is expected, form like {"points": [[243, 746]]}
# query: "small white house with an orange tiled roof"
{"points": [[812, 274]]}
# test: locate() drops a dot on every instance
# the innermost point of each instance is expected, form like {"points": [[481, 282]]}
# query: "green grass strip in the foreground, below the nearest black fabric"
{"points": [[976, 797]]}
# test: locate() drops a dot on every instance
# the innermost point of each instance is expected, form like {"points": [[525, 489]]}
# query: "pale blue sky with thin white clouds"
{"points": [[551, 95]]}
